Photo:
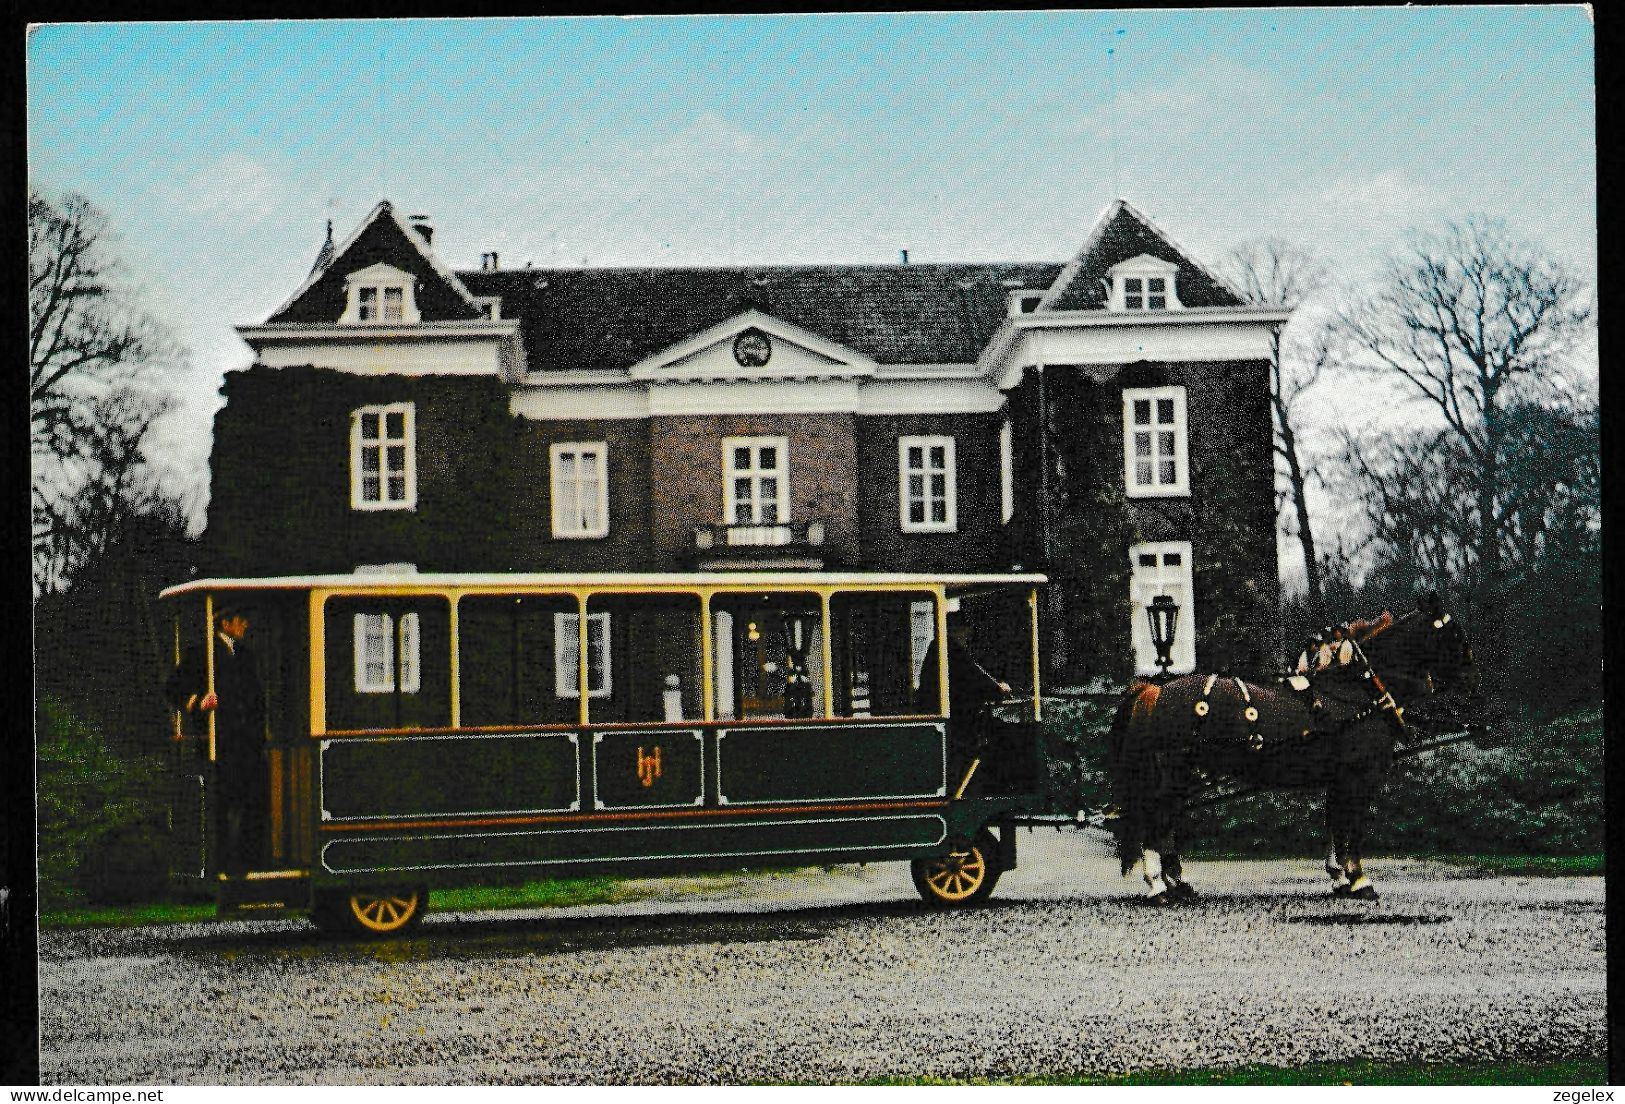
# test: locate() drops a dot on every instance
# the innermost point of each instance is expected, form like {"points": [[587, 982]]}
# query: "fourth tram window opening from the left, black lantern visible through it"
{"points": [[769, 656]]}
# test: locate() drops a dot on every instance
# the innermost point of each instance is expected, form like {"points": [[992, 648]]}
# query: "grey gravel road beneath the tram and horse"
{"points": [[843, 975]]}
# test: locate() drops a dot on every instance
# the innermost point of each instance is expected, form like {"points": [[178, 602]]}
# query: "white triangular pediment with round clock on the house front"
{"points": [[753, 347]]}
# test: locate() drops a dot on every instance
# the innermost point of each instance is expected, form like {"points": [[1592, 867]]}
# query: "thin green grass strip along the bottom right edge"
{"points": [[1582, 1072]]}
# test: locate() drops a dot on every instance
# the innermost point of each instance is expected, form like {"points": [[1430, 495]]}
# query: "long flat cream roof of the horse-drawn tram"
{"points": [[677, 581]]}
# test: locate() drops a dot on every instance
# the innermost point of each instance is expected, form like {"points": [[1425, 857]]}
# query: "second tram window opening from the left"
{"points": [[508, 661]]}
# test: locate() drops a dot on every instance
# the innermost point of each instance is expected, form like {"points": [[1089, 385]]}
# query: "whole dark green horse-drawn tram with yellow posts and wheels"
{"points": [[373, 736]]}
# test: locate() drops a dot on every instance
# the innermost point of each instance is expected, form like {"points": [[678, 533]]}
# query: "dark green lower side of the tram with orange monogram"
{"points": [[448, 806]]}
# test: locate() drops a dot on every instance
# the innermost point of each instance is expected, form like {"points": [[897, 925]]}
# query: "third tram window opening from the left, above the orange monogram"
{"points": [[649, 666]]}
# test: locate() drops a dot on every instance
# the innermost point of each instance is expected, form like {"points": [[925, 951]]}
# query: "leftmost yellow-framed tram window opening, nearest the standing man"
{"points": [[389, 664]]}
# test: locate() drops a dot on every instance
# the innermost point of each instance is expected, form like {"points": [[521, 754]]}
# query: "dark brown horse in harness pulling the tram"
{"points": [[1338, 734]]}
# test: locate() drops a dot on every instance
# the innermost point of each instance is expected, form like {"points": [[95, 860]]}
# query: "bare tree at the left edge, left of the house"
{"points": [[93, 362]]}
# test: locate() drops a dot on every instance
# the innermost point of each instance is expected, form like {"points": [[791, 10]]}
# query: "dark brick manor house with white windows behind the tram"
{"points": [[1104, 420]]}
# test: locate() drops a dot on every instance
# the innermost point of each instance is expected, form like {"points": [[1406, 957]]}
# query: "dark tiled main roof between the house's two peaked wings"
{"points": [[896, 315]]}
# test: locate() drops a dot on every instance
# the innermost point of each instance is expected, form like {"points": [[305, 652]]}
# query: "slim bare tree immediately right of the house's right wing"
{"points": [[1275, 272]]}
